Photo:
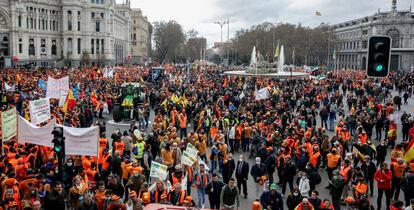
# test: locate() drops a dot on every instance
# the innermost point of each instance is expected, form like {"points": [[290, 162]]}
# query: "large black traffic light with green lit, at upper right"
{"points": [[379, 54]]}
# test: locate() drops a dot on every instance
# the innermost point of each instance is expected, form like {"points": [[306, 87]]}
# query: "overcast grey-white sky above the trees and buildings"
{"points": [[201, 14]]}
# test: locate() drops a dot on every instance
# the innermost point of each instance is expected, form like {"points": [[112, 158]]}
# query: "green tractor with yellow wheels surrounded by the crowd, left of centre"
{"points": [[129, 99]]}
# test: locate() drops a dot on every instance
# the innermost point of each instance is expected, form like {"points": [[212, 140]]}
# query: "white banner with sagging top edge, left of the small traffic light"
{"points": [[32, 134]]}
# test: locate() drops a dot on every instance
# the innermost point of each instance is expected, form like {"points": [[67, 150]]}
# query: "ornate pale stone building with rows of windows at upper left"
{"points": [[65, 32]]}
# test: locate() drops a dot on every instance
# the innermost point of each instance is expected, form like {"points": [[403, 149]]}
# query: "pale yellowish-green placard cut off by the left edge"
{"points": [[9, 124]]}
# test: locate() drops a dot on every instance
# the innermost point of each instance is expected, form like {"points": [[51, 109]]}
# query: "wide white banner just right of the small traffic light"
{"points": [[81, 141]]}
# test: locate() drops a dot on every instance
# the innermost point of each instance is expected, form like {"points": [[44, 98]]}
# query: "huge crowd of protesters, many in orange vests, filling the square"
{"points": [[306, 127]]}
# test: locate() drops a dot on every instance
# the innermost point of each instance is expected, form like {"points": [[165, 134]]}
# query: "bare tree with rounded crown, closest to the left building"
{"points": [[168, 38]]}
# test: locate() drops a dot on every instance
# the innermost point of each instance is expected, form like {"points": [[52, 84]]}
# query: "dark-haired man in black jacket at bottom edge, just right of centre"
{"points": [[230, 196]]}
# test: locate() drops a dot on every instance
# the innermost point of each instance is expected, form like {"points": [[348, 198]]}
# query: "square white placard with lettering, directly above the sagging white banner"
{"points": [[39, 110]]}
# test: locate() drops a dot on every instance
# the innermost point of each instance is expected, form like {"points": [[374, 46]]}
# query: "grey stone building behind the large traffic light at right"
{"points": [[352, 39]]}
